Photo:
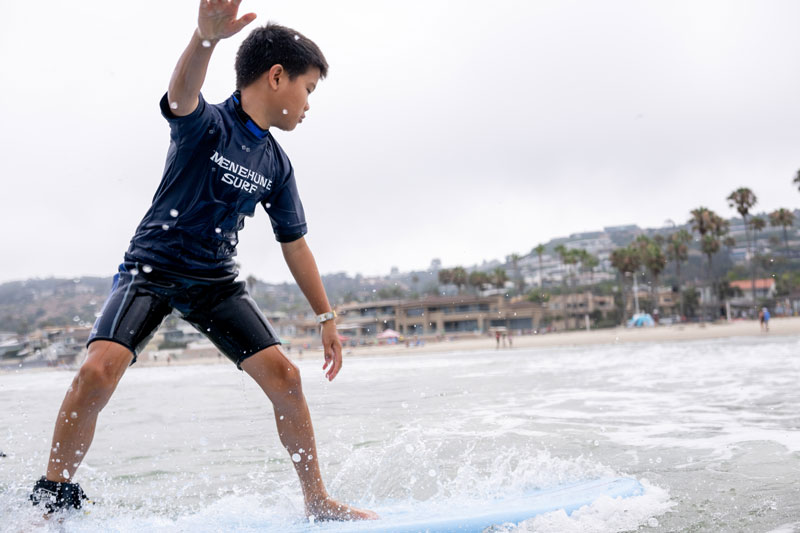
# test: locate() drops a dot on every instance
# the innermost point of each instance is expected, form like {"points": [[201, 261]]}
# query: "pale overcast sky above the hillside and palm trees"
{"points": [[459, 130]]}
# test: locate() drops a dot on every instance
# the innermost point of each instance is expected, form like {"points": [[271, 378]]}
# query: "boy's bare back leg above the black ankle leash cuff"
{"points": [[89, 393]]}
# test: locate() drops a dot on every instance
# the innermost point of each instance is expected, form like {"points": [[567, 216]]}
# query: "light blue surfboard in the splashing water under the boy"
{"points": [[477, 516]]}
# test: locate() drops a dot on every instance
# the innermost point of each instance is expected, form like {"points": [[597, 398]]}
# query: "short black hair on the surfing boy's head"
{"points": [[274, 44]]}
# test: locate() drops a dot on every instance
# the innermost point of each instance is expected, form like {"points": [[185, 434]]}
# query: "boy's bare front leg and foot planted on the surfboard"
{"points": [[279, 378]]}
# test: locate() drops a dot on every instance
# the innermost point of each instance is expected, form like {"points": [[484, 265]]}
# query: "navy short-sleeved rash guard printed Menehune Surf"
{"points": [[220, 164]]}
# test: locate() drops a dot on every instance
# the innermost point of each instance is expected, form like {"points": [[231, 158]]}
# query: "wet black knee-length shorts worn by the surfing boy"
{"points": [[219, 308]]}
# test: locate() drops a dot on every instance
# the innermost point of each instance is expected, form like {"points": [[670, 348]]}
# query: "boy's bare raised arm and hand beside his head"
{"points": [[216, 20]]}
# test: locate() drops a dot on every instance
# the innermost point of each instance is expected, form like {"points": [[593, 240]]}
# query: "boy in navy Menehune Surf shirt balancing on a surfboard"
{"points": [[221, 162]]}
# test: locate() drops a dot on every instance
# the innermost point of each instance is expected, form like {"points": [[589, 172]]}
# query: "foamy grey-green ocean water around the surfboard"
{"points": [[710, 428]]}
